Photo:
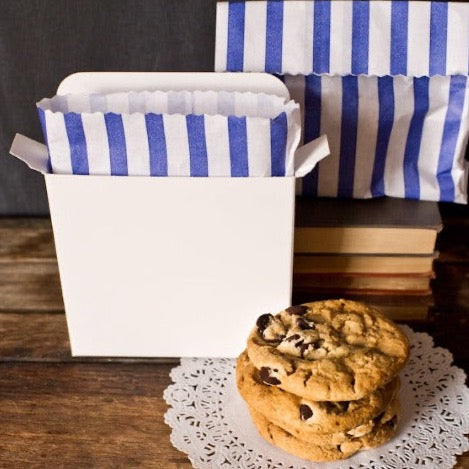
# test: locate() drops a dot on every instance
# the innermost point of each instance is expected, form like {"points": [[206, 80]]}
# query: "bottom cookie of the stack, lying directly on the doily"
{"points": [[331, 448]]}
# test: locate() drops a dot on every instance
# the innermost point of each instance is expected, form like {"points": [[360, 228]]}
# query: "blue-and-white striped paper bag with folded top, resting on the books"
{"points": [[387, 81]]}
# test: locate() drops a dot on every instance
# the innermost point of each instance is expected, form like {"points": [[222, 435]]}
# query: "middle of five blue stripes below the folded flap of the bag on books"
{"points": [[385, 124]]}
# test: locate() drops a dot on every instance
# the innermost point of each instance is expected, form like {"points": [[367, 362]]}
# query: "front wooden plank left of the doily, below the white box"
{"points": [[85, 415]]}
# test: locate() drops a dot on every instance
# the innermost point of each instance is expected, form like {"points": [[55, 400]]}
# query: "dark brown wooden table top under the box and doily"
{"points": [[57, 411]]}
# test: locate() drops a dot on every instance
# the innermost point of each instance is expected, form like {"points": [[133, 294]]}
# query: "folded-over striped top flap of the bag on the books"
{"points": [[414, 38]]}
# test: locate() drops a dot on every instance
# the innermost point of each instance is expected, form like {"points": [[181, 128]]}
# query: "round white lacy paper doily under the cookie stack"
{"points": [[210, 421]]}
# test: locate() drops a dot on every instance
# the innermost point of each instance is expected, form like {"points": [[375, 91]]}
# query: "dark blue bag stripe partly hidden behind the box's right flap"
{"points": [[312, 127]]}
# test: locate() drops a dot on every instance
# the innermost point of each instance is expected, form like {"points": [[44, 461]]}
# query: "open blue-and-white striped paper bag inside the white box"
{"points": [[179, 133]]}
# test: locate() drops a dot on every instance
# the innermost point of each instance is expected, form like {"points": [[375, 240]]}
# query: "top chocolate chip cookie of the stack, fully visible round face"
{"points": [[333, 350]]}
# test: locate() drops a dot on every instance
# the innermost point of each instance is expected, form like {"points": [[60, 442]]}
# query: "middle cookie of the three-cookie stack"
{"points": [[298, 415]]}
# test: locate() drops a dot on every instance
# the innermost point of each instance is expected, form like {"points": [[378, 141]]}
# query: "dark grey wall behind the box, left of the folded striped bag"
{"points": [[43, 41]]}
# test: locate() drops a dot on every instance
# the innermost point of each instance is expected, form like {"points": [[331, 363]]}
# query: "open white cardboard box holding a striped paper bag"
{"points": [[169, 266]]}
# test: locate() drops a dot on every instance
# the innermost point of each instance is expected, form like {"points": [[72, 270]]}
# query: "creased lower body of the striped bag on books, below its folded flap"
{"points": [[397, 136]]}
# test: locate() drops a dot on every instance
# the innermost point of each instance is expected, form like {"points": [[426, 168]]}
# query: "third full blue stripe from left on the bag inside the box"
{"points": [[156, 145]]}
